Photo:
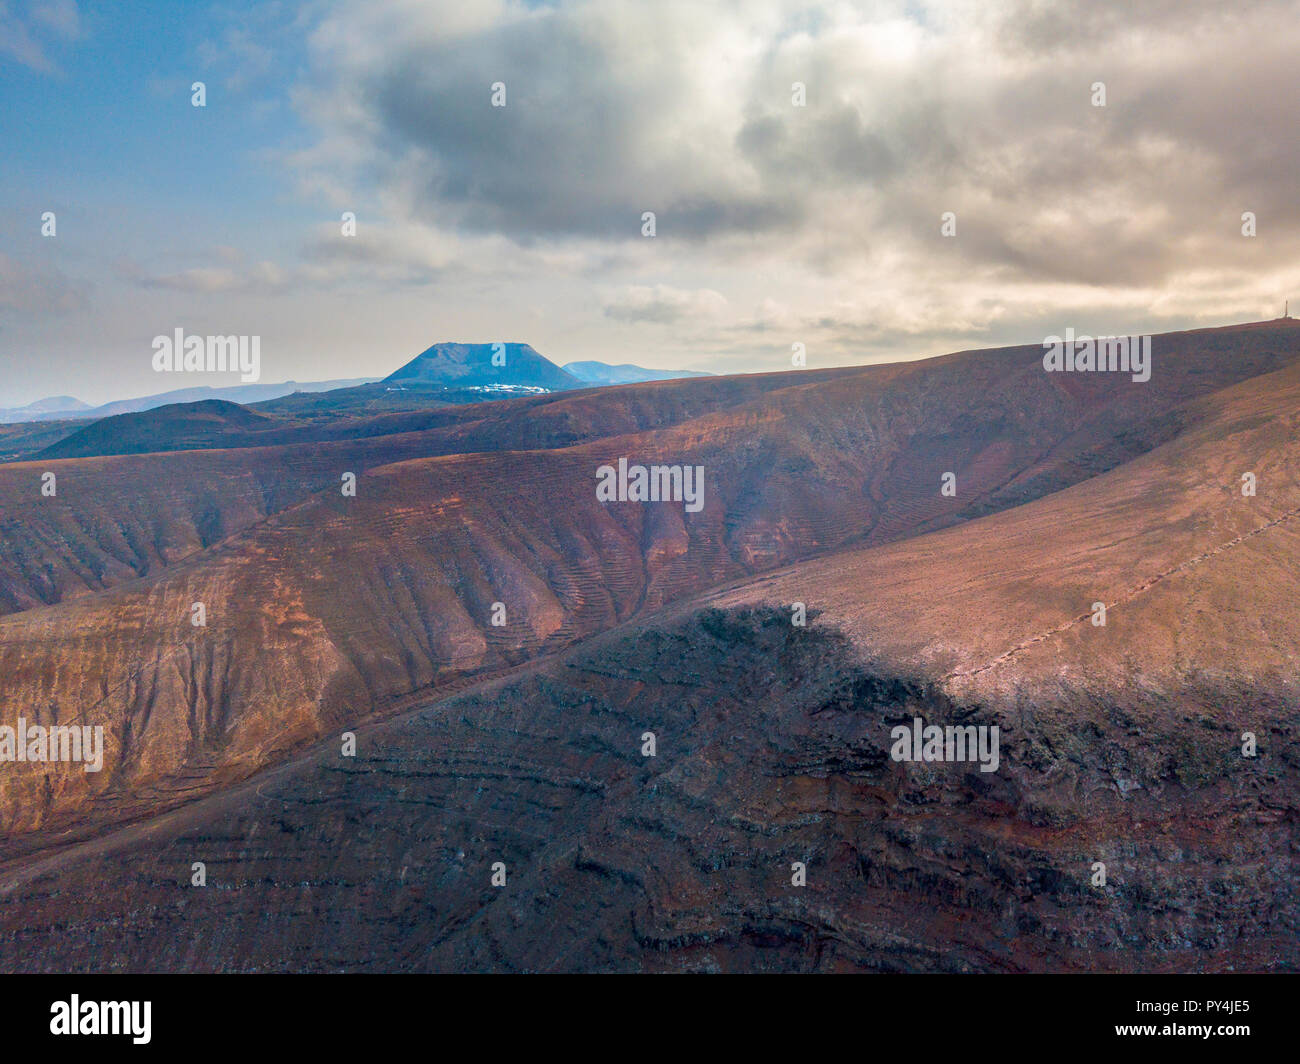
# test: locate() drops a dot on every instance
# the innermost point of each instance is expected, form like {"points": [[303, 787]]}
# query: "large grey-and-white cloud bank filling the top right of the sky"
{"points": [[912, 110]]}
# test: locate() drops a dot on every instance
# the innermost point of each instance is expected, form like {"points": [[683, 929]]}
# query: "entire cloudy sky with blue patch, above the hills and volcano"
{"points": [[778, 220]]}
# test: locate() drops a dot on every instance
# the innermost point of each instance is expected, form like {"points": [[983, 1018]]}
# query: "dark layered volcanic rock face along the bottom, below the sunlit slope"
{"points": [[773, 749]]}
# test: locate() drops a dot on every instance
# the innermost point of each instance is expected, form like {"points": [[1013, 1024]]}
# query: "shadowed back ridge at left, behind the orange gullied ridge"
{"points": [[119, 520]]}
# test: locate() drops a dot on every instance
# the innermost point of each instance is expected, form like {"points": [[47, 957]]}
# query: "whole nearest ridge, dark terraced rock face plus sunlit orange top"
{"points": [[1121, 746]]}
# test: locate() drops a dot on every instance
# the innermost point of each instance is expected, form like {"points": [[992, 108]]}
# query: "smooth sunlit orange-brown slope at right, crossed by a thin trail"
{"points": [[1201, 582]]}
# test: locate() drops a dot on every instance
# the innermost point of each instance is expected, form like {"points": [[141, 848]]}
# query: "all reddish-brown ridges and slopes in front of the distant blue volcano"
{"points": [[522, 745]]}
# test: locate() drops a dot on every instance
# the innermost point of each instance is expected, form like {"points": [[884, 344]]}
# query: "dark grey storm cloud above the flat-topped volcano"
{"points": [[580, 148]]}
